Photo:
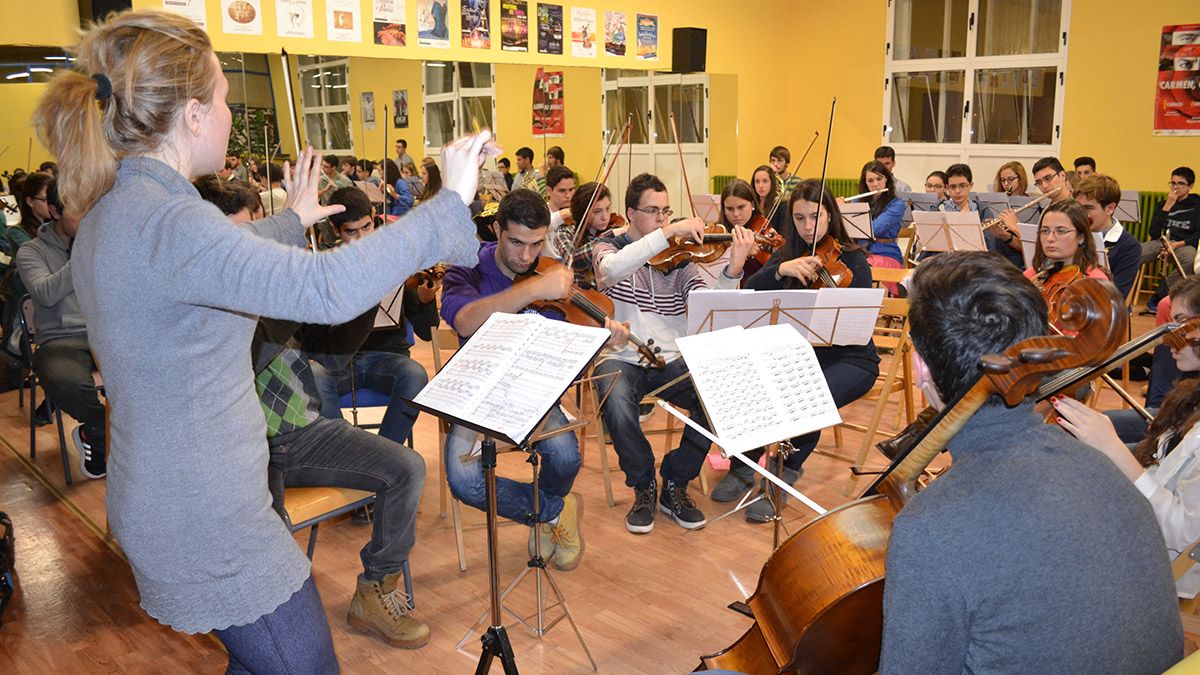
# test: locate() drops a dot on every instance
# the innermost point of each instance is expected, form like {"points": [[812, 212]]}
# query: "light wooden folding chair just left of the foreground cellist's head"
{"points": [[898, 378]]}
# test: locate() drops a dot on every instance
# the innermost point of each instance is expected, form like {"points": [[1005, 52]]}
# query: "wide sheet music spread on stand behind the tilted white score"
{"points": [[827, 316]]}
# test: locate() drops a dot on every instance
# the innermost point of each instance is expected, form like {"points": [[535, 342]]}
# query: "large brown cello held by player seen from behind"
{"points": [[818, 606]]}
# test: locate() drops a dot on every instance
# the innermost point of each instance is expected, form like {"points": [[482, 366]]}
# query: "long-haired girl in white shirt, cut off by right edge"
{"points": [[1166, 465]]}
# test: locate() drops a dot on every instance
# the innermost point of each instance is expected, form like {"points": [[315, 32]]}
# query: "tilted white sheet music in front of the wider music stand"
{"points": [[759, 386]]}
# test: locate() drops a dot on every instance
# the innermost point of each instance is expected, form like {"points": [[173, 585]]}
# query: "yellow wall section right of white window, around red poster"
{"points": [[1111, 92]]}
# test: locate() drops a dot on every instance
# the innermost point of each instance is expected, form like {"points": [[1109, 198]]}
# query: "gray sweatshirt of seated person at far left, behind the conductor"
{"points": [[45, 267]]}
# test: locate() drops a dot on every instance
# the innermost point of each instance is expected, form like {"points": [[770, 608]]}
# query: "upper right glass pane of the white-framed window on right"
{"points": [[1019, 27]]}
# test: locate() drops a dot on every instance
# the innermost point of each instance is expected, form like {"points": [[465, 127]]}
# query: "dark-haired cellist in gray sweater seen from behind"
{"points": [[1034, 554]]}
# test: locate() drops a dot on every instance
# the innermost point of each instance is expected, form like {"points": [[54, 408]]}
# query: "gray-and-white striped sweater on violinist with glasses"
{"points": [[655, 304]]}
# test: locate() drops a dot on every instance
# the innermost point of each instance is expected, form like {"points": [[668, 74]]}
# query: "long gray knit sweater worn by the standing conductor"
{"points": [[172, 291]]}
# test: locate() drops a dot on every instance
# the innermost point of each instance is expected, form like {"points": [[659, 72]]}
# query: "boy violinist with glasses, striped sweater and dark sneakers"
{"points": [[656, 307]]}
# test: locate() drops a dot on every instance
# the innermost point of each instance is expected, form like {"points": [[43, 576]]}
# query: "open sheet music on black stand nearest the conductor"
{"points": [[512, 372]]}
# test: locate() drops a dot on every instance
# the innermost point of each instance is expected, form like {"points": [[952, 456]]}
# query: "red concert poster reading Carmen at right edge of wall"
{"points": [[1178, 97]]}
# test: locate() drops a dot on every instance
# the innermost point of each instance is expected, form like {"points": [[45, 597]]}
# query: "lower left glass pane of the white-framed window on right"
{"points": [[927, 107]]}
